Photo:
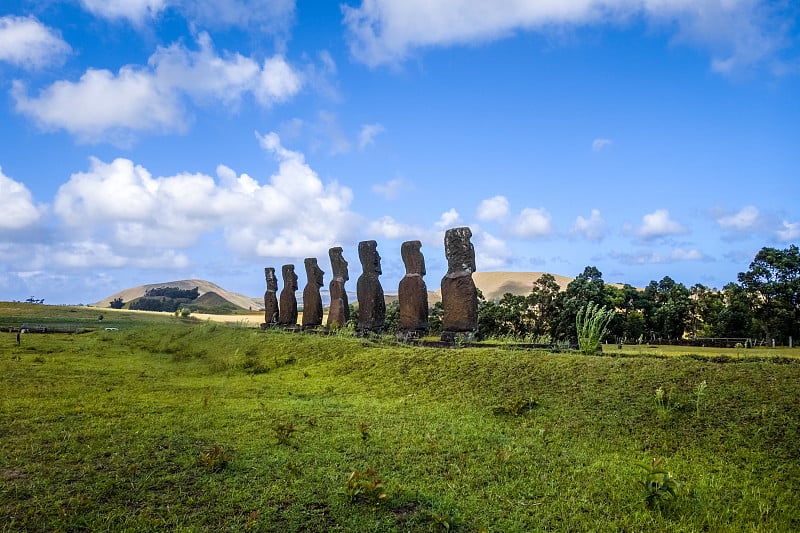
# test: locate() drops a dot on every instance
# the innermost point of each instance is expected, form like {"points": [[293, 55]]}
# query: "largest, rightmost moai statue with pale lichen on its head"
{"points": [[459, 294]]}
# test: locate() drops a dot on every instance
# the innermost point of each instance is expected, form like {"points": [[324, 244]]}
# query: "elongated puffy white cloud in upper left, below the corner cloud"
{"points": [[105, 106]]}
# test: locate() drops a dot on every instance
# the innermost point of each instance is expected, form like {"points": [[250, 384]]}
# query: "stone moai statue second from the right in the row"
{"points": [[412, 293]]}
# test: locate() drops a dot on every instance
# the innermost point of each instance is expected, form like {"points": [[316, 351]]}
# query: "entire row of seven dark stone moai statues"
{"points": [[459, 294]]}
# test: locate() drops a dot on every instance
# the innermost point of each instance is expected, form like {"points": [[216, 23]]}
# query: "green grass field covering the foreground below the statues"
{"points": [[180, 425]]}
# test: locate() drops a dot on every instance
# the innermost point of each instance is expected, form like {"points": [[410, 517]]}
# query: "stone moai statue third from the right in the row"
{"points": [[371, 305]]}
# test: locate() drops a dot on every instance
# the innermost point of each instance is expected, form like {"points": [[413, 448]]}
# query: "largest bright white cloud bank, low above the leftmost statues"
{"points": [[122, 209]]}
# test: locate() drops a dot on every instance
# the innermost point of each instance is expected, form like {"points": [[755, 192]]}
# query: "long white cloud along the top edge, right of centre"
{"points": [[738, 33]]}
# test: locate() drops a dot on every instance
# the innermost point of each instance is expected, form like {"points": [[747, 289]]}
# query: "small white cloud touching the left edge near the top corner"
{"points": [[27, 43]]}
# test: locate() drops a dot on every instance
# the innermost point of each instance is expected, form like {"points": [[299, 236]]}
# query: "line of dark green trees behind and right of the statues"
{"points": [[764, 303]]}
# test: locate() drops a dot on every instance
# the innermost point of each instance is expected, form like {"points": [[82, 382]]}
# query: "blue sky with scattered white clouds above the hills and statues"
{"points": [[144, 141]]}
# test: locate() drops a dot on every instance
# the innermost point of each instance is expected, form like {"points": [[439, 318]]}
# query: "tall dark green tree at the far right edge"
{"points": [[773, 285]]}
